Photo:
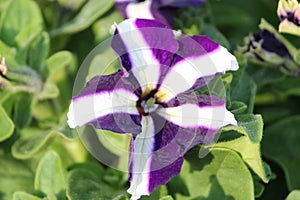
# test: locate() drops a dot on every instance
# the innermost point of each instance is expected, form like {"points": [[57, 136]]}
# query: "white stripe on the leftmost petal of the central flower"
{"points": [[85, 109]]}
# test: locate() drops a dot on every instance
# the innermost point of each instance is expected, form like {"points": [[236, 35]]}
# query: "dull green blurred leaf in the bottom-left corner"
{"points": [[15, 176]]}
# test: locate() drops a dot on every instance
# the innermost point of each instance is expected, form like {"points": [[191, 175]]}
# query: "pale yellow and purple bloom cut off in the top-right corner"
{"points": [[288, 12]]}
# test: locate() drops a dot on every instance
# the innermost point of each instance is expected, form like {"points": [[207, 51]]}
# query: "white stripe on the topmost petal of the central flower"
{"points": [[145, 66]]}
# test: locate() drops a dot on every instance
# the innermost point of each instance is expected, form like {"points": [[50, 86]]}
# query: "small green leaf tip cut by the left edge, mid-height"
{"points": [[6, 124]]}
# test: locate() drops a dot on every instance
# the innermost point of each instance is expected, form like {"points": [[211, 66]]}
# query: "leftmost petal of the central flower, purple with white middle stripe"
{"points": [[107, 102]]}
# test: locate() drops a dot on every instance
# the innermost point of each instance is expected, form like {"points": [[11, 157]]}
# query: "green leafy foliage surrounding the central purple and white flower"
{"points": [[44, 42]]}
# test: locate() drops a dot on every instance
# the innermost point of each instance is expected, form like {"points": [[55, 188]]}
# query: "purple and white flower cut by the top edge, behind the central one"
{"points": [[161, 10]]}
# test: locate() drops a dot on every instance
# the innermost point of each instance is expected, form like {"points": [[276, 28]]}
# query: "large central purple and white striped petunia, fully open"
{"points": [[153, 98]]}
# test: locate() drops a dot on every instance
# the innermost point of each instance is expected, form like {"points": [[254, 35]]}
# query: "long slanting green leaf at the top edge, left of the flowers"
{"points": [[92, 10]]}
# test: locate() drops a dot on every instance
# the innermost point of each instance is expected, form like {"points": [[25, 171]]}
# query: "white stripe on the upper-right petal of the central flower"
{"points": [[184, 74]]}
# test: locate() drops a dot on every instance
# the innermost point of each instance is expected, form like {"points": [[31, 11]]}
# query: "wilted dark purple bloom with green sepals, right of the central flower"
{"points": [[268, 47]]}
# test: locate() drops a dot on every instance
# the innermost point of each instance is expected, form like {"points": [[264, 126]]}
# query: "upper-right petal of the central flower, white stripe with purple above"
{"points": [[198, 57]]}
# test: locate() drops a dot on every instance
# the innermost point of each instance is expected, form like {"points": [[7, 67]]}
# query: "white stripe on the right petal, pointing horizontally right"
{"points": [[193, 116]]}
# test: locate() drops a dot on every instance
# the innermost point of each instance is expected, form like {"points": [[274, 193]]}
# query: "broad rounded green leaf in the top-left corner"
{"points": [[20, 16]]}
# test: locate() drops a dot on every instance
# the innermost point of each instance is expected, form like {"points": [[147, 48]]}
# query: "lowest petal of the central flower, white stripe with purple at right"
{"points": [[150, 169]]}
